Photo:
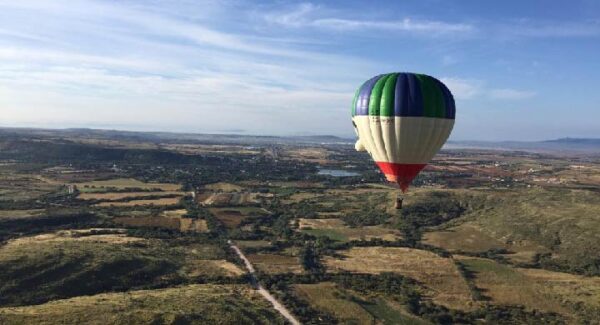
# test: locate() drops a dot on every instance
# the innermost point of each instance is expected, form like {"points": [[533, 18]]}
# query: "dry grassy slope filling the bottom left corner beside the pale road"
{"points": [[204, 303]]}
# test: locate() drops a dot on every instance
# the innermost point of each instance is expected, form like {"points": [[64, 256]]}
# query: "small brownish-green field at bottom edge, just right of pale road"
{"points": [[327, 297]]}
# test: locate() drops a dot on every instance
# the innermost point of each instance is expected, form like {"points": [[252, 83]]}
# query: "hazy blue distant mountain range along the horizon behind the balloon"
{"points": [[565, 145]]}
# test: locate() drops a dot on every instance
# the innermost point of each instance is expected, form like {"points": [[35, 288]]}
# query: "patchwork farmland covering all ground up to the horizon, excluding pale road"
{"points": [[131, 231]]}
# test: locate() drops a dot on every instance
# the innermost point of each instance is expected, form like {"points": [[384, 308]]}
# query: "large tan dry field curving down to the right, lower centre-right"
{"points": [[439, 274]]}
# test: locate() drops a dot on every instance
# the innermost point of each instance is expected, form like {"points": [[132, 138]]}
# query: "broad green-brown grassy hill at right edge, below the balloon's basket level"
{"points": [[555, 228]]}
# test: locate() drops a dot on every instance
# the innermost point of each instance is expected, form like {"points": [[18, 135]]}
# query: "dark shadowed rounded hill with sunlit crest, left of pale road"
{"points": [[65, 264]]}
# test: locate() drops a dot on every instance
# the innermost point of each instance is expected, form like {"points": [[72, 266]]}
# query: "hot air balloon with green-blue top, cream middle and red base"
{"points": [[402, 120]]}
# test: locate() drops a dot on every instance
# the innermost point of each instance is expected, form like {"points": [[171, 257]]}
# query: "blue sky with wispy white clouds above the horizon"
{"points": [[519, 70]]}
